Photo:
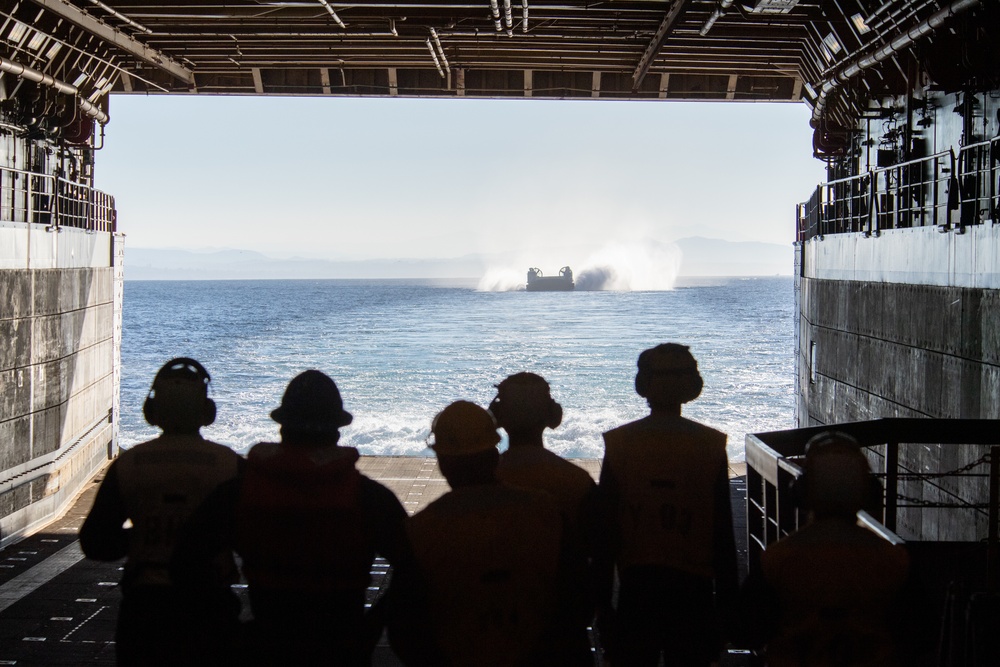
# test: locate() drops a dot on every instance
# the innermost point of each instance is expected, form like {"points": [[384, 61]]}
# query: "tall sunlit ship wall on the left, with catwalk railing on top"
{"points": [[60, 320]]}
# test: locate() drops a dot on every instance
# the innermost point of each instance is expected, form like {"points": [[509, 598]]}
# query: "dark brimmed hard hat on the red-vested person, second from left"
{"points": [[312, 403]]}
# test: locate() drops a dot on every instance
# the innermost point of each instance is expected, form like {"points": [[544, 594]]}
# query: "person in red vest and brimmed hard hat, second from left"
{"points": [[309, 526]]}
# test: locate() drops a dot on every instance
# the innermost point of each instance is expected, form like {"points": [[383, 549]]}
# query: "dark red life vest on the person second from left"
{"points": [[300, 525]]}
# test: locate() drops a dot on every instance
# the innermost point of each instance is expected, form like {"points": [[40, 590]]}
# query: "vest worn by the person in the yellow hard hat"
{"points": [[490, 555]]}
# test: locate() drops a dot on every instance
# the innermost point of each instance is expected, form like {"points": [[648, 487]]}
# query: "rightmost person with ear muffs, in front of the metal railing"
{"points": [[828, 588]]}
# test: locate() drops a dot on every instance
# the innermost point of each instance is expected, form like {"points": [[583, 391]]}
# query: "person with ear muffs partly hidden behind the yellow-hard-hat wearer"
{"points": [[524, 407]]}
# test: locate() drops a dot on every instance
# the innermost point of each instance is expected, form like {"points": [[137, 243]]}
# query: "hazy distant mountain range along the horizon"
{"points": [[701, 257]]}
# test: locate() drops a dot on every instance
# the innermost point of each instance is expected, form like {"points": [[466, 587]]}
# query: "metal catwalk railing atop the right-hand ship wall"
{"points": [[949, 190]]}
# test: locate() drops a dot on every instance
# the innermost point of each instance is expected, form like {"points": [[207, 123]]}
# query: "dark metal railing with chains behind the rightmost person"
{"points": [[774, 461]]}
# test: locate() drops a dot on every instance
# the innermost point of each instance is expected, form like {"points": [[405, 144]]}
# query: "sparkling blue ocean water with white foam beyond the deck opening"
{"points": [[402, 350]]}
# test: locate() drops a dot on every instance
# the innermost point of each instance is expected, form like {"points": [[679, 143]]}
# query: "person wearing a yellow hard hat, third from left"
{"points": [[490, 555]]}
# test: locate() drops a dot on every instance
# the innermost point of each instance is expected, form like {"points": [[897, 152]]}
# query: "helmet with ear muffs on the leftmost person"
{"points": [[178, 399]]}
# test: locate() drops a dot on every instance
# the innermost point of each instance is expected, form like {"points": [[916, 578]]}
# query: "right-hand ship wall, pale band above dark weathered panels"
{"points": [[906, 324]]}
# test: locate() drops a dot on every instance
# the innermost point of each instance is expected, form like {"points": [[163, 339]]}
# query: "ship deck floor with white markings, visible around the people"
{"points": [[58, 608]]}
